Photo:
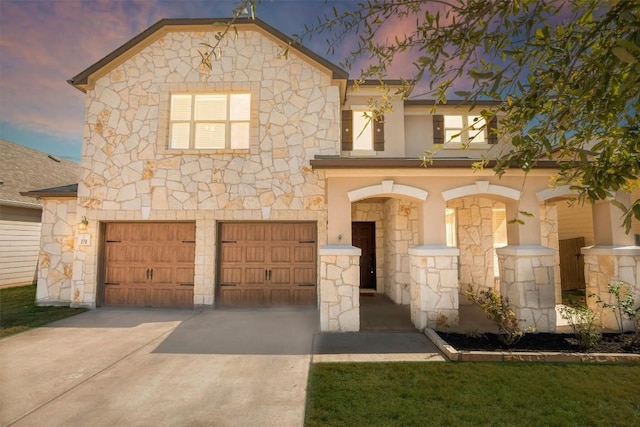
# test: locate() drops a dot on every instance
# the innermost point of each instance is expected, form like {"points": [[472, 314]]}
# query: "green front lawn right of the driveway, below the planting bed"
{"points": [[472, 394]]}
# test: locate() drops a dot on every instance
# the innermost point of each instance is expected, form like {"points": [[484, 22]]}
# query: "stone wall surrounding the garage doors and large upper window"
{"points": [[129, 174]]}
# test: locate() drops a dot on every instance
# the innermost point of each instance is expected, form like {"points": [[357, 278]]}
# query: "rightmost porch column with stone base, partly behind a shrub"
{"points": [[613, 258]]}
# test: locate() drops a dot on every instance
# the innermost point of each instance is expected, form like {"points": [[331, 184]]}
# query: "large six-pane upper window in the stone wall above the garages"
{"points": [[209, 121]]}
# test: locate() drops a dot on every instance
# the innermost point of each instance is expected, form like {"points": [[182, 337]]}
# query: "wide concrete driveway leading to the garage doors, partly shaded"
{"points": [[143, 367]]}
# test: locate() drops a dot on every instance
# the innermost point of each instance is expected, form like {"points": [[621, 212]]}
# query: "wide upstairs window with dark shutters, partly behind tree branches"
{"points": [[463, 130]]}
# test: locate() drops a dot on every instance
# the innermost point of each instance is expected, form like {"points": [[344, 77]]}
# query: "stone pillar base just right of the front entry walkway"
{"points": [[434, 286]]}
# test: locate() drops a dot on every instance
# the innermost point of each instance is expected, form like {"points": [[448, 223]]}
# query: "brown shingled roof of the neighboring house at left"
{"points": [[23, 169]]}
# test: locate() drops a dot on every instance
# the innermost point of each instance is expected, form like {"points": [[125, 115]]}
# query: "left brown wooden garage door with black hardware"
{"points": [[149, 264]]}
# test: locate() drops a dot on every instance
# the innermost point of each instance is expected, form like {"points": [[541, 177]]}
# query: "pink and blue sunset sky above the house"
{"points": [[43, 43]]}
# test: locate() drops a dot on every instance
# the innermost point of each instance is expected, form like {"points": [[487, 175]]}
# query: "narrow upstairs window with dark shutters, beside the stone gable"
{"points": [[361, 132]]}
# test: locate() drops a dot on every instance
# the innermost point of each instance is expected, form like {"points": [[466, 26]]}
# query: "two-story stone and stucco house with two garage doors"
{"points": [[261, 182]]}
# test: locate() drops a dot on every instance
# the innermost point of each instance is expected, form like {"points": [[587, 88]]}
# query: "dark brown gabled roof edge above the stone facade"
{"points": [[85, 79]]}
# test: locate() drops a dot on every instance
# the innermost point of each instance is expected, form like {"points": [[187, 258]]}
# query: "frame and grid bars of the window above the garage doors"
{"points": [[228, 123]]}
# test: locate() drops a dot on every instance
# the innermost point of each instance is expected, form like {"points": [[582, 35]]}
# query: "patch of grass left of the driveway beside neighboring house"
{"points": [[19, 313]]}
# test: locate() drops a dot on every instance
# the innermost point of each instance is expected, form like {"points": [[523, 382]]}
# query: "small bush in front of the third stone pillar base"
{"points": [[497, 309]]}
